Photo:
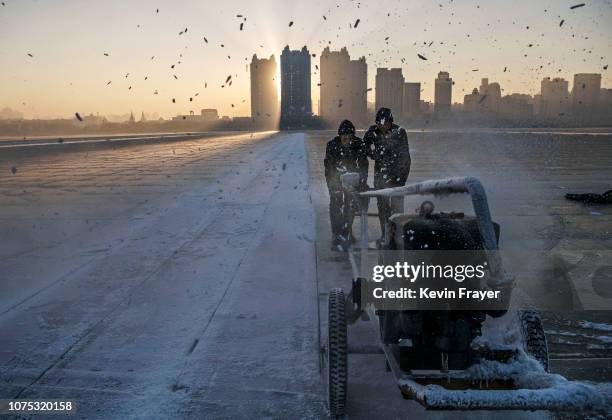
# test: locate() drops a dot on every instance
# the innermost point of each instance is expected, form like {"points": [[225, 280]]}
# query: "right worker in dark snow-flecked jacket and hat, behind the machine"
{"points": [[387, 145]]}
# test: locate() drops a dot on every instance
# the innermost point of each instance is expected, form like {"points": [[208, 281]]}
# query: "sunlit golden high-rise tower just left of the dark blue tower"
{"points": [[264, 97]]}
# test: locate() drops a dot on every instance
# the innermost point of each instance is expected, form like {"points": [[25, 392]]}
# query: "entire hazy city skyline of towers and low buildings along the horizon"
{"points": [[344, 92]]}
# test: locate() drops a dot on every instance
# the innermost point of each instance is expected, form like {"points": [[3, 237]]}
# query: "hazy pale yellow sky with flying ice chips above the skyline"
{"points": [[69, 71]]}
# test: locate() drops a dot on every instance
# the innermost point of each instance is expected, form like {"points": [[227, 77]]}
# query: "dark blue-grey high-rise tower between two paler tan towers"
{"points": [[296, 103]]}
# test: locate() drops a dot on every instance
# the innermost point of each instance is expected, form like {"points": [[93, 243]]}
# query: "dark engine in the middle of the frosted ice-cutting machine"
{"points": [[433, 339]]}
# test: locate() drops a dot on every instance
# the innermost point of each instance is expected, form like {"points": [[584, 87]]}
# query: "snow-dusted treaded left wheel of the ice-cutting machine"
{"points": [[336, 354]]}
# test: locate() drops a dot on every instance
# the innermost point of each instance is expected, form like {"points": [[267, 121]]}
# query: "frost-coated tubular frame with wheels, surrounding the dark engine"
{"points": [[433, 389]]}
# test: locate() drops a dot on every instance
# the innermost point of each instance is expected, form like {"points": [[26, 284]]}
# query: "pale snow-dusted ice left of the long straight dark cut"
{"points": [[161, 281]]}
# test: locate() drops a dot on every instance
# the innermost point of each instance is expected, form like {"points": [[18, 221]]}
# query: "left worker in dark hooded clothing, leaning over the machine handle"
{"points": [[344, 153]]}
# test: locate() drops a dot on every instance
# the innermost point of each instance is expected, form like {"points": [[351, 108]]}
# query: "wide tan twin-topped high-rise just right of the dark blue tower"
{"points": [[344, 85]]}
